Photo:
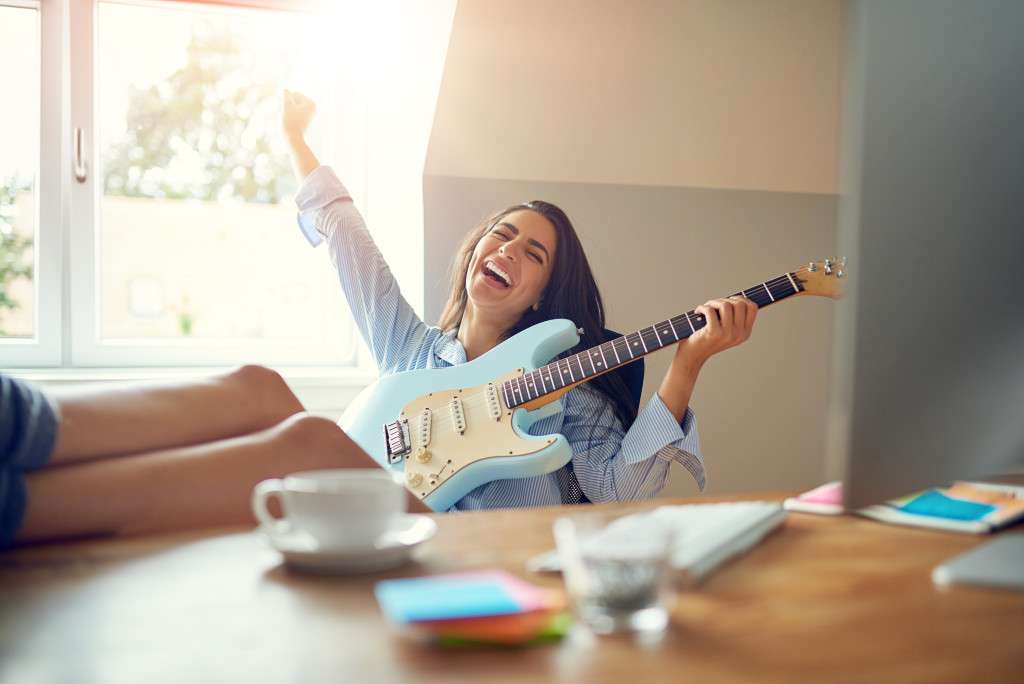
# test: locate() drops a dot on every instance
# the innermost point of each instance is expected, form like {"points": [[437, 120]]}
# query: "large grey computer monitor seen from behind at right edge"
{"points": [[929, 353]]}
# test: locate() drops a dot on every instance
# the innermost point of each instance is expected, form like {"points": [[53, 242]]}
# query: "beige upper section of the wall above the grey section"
{"points": [[738, 95]]}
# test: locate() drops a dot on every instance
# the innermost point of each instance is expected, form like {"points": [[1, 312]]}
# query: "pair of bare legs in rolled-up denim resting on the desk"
{"points": [[151, 457]]}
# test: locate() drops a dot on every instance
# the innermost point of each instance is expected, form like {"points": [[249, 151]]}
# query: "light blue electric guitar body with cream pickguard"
{"points": [[456, 461]]}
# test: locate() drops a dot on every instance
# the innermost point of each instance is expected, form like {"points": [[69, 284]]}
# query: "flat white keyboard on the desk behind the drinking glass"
{"points": [[711, 534]]}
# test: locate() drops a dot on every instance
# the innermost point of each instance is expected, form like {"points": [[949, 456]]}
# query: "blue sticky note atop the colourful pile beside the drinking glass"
{"points": [[416, 600]]}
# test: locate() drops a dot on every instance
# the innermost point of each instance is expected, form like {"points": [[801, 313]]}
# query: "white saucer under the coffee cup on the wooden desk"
{"points": [[392, 550]]}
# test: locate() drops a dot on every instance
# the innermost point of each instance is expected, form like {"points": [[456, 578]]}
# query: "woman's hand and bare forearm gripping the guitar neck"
{"points": [[730, 323]]}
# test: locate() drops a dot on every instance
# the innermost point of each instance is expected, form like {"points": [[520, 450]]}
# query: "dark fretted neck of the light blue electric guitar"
{"points": [[557, 377]]}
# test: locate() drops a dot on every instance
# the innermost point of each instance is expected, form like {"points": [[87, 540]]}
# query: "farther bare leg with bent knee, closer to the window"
{"points": [[137, 418]]}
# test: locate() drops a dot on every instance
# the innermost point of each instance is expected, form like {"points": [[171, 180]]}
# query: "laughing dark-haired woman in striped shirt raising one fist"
{"points": [[522, 267]]}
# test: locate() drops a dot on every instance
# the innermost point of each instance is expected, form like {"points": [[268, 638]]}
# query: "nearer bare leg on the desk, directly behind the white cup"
{"points": [[195, 487]]}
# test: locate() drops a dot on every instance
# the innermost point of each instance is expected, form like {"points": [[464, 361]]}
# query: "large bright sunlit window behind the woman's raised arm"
{"points": [[149, 218]]}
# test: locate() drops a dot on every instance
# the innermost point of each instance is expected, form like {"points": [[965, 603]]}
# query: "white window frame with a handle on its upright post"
{"points": [[67, 333]]}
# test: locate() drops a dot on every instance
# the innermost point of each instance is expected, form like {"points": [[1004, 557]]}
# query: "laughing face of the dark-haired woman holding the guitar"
{"points": [[511, 266]]}
